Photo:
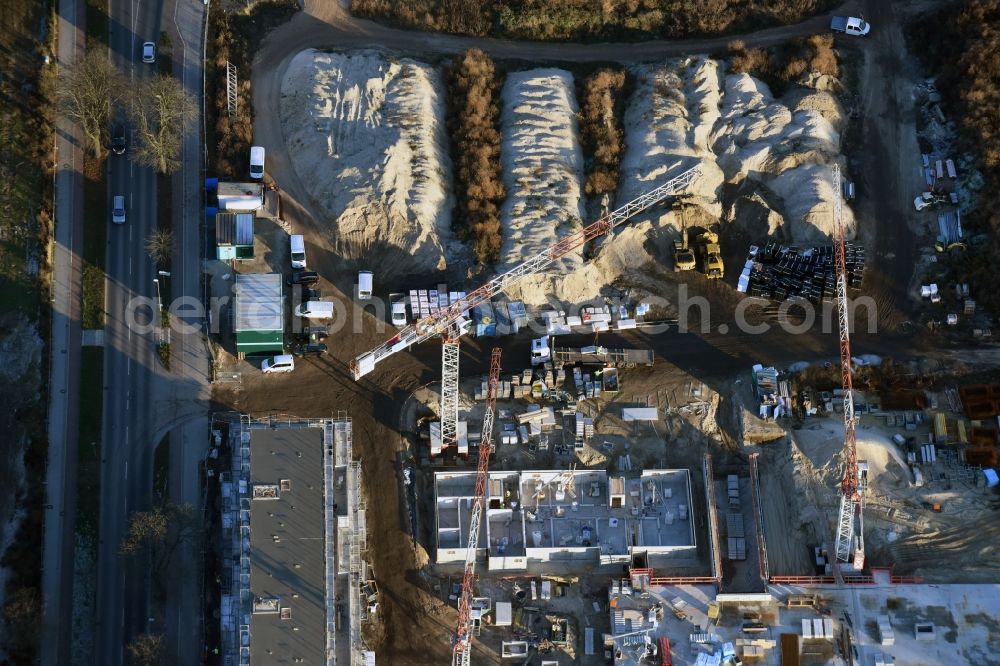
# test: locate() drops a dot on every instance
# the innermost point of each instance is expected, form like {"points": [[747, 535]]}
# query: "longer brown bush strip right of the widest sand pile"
{"points": [[474, 124]]}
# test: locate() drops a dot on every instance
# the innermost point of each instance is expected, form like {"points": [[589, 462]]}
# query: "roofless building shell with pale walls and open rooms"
{"points": [[545, 516]]}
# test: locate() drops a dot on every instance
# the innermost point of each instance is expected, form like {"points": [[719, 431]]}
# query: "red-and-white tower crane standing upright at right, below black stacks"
{"points": [[850, 523]]}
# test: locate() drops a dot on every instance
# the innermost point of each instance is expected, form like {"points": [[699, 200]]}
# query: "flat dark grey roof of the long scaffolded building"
{"points": [[287, 546]]}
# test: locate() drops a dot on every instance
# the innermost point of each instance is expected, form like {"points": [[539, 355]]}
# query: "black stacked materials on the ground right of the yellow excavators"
{"points": [[778, 272]]}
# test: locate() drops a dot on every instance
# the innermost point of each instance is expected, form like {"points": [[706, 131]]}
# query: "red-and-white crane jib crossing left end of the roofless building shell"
{"points": [[462, 653]]}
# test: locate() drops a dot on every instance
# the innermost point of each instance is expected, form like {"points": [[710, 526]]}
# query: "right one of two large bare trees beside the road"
{"points": [[161, 111]]}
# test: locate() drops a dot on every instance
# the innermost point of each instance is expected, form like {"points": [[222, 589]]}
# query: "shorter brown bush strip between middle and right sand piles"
{"points": [[601, 134]]}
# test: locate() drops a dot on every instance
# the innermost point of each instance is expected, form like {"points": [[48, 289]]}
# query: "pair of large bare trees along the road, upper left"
{"points": [[158, 108]]}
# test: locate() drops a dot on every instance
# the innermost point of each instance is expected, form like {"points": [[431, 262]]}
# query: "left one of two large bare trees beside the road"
{"points": [[87, 93]]}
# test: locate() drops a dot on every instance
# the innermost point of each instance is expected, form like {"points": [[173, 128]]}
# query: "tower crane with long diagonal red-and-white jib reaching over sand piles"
{"points": [[449, 321]]}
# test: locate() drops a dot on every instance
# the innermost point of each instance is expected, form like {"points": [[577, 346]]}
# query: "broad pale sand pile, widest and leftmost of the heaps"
{"points": [[366, 135]]}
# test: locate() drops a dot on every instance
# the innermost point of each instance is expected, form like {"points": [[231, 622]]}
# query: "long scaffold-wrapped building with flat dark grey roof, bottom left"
{"points": [[293, 542]]}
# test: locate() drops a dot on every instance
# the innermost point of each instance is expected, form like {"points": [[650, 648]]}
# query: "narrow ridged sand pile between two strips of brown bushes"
{"points": [[542, 170]]}
